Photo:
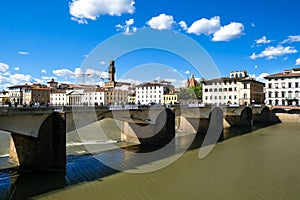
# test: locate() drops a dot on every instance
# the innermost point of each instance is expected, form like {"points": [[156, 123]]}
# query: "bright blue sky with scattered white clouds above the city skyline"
{"points": [[41, 40]]}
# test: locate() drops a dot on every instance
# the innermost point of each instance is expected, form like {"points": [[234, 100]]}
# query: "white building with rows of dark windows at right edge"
{"points": [[283, 88]]}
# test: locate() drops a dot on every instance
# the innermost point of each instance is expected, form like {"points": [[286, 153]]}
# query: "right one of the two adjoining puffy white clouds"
{"points": [[229, 32]]}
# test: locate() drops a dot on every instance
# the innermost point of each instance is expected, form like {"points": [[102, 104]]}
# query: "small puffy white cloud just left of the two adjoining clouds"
{"points": [[161, 22]]}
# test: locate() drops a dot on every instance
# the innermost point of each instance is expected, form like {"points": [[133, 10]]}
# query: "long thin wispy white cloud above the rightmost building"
{"points": [[273, 52]]}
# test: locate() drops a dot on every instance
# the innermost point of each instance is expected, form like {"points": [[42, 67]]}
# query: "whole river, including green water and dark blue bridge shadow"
{"points": [[261, 164]]}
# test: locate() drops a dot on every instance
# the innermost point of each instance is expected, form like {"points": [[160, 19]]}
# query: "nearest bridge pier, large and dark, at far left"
{"points": [[47, 151]]}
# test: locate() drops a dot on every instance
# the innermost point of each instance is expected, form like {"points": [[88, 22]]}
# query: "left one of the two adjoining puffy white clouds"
{"points": [[205, 26]]}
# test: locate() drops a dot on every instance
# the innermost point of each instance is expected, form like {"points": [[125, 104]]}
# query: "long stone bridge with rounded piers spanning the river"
{"points": [[38, 135]]}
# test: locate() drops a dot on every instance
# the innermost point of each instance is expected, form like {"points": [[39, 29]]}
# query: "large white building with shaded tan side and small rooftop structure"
{"points": [[238, 89]]}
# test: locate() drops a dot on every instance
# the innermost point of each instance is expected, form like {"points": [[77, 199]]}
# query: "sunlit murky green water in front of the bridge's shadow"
{"points": [[262, 164]]}
